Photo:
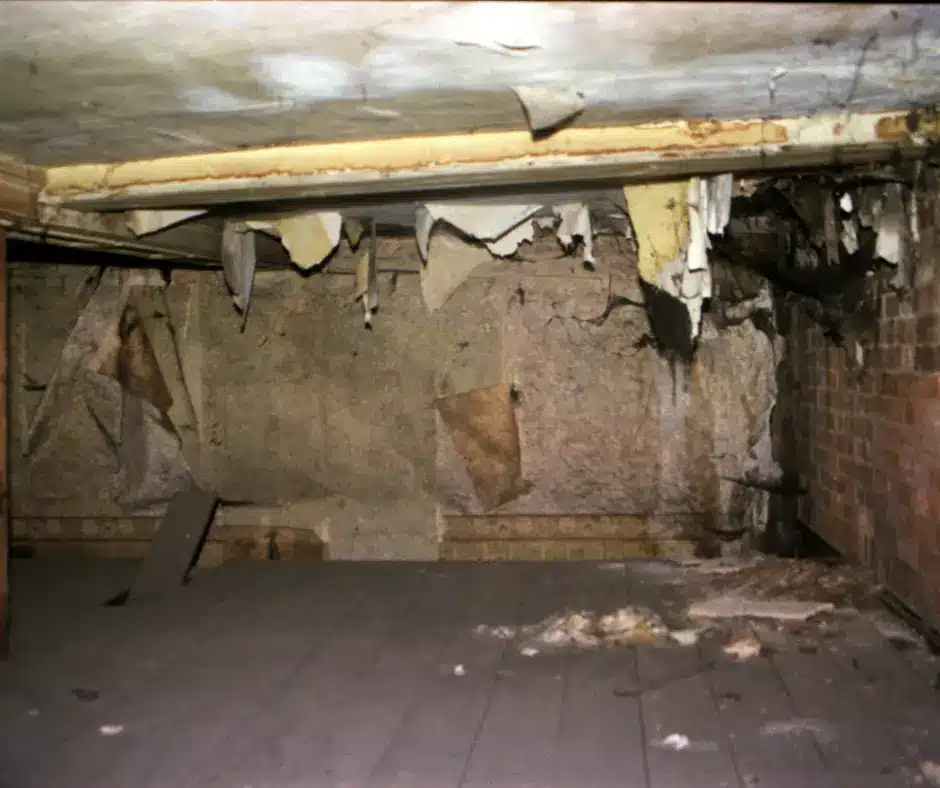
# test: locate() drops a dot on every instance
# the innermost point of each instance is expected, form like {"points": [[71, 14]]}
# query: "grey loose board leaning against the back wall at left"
{"points": [[177, 543]]}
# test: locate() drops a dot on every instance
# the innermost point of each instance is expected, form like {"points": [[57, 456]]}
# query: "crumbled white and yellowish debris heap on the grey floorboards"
{"points": [[585, 629]]}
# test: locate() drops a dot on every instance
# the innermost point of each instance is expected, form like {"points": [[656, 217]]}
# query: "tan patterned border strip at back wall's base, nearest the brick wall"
{"points": [[569, 538]]}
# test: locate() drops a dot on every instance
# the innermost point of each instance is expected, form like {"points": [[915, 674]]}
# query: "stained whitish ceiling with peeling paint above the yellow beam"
{"points": [[110, 81]]}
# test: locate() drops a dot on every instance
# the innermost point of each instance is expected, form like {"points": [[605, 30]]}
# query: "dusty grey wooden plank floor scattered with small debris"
{"points": [[272, 675]]}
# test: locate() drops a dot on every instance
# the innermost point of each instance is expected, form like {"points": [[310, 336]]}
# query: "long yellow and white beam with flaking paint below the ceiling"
{"points": [[385, 167]]}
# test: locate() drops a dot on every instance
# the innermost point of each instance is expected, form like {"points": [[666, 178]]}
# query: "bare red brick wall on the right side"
{"points": [[867, 445]]}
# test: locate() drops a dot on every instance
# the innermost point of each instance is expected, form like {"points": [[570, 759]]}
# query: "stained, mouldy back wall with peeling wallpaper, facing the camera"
{"points": [[311, 428]]}
